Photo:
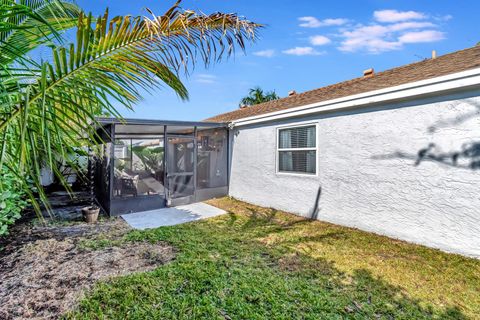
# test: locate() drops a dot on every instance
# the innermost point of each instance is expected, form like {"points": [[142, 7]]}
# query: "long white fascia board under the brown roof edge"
{"points": [[453, 81]]}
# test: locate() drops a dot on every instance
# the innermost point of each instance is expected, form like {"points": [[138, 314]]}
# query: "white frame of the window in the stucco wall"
{"points": [[277, 149]]}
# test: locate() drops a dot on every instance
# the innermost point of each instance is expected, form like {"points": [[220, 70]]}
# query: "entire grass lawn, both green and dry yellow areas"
{"points": [[258, 263]]}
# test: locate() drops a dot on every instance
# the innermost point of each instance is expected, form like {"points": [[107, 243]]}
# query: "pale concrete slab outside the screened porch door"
{"points": [[171, 216]]}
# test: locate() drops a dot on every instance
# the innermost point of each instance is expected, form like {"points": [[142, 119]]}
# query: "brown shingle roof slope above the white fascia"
{"points": [[443, 65]]}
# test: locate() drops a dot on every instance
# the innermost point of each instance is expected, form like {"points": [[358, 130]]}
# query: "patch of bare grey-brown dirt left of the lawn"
{"points": [[45, 270]]}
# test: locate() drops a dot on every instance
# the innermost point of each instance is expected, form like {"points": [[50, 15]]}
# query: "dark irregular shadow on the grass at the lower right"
{"points": [[361, 294]]}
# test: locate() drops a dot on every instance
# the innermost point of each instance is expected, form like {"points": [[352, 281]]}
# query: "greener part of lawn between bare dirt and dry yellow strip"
{"points": [[223, 271]]}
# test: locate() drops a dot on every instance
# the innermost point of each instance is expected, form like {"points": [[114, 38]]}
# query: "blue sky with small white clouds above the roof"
{"points": [[306, 45]]}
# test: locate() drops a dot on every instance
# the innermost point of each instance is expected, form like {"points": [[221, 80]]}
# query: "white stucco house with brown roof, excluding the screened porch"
{"points": [[395, 152]]}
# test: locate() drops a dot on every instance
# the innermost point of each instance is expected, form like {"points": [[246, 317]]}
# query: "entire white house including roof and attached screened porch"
{"points": [[395, 152]]}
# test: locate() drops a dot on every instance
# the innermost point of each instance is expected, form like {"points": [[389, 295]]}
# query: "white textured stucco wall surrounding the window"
{"points": [[368, 174]]}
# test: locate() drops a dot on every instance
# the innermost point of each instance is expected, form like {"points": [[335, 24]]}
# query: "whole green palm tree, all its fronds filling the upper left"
{"points": [[49, 108]]}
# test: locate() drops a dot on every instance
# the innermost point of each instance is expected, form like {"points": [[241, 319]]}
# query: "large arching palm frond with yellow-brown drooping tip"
{"points": [[110, 61]]}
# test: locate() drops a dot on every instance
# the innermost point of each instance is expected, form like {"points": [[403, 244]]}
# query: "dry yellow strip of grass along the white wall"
{"points": [[424, 274]]}
